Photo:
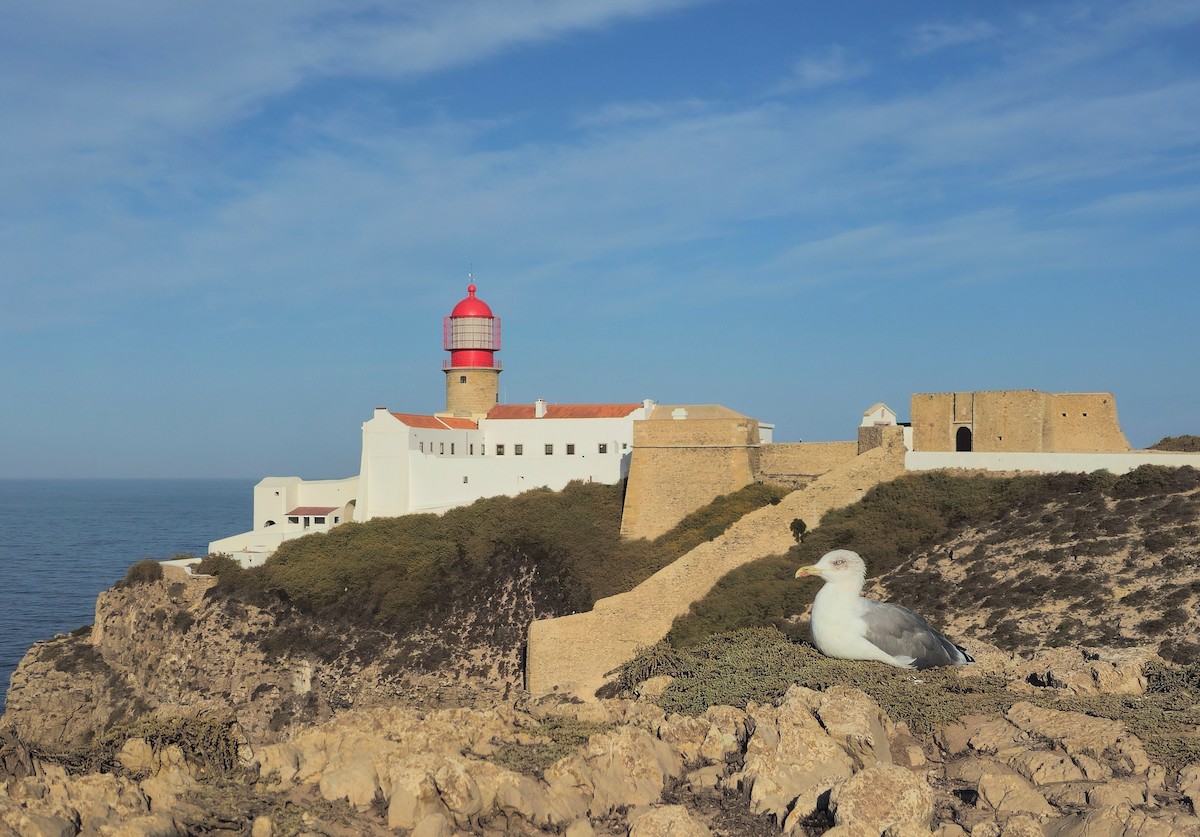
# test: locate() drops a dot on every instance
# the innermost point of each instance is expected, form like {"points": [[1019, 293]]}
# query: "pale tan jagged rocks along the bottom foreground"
{"points": [[829, 762]]}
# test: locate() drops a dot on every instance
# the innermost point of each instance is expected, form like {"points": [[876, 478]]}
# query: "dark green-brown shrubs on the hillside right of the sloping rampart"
{"points": [[917, 513]]}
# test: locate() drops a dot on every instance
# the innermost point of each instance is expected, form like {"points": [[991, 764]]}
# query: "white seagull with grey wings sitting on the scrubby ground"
{"points": [[848, 627]]}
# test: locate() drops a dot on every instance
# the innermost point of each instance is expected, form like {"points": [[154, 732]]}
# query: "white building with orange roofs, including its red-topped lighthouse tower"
{"points": [[430, 463]]}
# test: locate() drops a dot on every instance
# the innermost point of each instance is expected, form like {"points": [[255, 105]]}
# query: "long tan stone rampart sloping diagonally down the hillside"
{"points": [[575, 654]]}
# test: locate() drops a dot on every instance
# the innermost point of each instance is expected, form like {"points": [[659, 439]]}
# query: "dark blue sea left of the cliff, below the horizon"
{"points": [[64, 541]]}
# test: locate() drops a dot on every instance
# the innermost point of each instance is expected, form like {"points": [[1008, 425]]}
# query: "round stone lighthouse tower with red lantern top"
{"points": [[472, 336]]}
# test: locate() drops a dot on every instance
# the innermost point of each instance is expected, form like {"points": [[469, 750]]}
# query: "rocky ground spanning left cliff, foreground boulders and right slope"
{"points": [[182, 713]]}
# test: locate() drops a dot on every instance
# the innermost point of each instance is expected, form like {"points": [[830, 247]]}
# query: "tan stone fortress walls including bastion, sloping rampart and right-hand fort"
{"points": [[694, 457]]}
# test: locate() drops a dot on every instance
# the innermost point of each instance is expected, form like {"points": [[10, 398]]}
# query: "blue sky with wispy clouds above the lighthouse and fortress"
{"points": [[229, 231]]}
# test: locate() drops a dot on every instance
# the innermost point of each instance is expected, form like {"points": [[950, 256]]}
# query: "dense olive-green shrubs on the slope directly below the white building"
{"points": [[391, 573]]}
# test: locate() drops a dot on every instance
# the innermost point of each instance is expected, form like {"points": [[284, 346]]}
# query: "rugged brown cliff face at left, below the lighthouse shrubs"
{"points": [[167, 648]]}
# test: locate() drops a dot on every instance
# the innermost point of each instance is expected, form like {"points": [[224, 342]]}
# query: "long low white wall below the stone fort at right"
{"points": [[1047, 463]]}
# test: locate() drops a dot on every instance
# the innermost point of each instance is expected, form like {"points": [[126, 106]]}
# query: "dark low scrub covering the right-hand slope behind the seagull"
{"points": [[1078, 519]]}
